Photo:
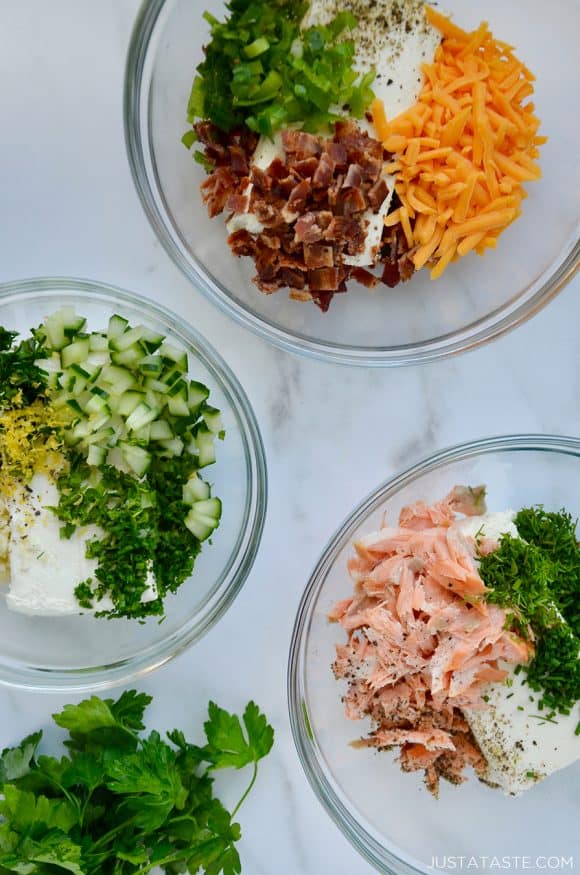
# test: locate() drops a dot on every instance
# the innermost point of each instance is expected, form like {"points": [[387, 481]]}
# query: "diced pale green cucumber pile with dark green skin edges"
{"points": [[131, 398]]}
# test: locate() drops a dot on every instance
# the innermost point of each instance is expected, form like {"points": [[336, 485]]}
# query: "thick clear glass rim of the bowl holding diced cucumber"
{"points": [[240, 561]]}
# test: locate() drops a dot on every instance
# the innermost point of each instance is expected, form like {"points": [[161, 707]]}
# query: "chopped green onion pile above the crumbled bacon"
{"points": [[261, 70]]}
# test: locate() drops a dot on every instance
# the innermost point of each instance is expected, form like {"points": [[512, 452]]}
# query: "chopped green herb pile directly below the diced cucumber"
{"points": [[144, 531]]}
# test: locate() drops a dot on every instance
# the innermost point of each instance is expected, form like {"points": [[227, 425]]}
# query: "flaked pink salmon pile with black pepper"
{"points": [[421, 640]]}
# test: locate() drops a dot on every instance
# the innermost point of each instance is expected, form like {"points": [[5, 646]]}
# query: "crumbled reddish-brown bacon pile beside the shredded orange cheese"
{"points": [[311, 205]]}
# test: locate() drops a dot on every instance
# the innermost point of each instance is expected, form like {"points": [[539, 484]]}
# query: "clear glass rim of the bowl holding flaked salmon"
{"points": [[375, 853]]}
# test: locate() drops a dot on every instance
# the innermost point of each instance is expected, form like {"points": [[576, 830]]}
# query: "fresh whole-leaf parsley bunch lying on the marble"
{"points": [[124, 803]]}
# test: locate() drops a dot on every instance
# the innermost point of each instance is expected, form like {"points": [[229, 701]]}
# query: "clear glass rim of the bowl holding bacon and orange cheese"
{"points": [[142, 166]]}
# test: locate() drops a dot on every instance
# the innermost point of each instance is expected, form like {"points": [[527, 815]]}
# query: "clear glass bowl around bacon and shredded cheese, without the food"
{"points": [[475, 301]]}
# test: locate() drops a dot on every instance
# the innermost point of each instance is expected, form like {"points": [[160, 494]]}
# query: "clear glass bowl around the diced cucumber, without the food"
{"points": [[79, 653]]}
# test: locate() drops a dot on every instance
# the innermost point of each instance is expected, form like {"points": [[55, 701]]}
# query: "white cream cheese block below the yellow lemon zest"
{"points": [[43, 569]]}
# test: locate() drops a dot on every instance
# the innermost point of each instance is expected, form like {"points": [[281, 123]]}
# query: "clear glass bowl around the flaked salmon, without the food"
{"points": [[388, 815]]}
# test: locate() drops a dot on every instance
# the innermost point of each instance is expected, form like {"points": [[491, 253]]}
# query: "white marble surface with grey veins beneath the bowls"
{"points": [[68, 207]]}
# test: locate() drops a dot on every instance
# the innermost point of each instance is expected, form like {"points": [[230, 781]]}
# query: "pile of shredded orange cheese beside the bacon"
{"points": [[464, 150]]}
